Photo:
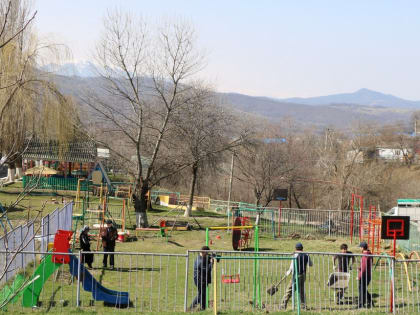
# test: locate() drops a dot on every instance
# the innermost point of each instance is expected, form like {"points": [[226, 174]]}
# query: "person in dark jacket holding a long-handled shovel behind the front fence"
{"points": [[303, 260]]}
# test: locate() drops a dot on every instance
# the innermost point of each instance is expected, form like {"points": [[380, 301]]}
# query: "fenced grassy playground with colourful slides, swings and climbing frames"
{"points": [[154, 267]]}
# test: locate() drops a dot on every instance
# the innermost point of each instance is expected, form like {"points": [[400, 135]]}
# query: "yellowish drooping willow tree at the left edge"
{"points": [[29, 102]]}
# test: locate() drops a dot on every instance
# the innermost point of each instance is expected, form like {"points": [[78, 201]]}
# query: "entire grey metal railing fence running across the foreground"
{"points": [[156, 282]]}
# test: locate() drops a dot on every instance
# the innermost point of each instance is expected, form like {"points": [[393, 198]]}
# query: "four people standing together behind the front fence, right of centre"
{"points": [[343, 262]]}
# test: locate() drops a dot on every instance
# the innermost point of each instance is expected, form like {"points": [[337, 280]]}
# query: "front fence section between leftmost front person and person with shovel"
{"points": [[241, 281]]}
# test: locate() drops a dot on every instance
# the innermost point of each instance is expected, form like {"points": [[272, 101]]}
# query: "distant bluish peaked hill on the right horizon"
{"points": [[361, 97]]}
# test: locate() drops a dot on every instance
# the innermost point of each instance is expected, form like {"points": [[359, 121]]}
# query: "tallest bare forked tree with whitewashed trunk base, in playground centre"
{"points": [[145, 81]]}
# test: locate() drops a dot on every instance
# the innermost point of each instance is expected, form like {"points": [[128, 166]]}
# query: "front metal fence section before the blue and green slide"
{"points": [[151, 282]]}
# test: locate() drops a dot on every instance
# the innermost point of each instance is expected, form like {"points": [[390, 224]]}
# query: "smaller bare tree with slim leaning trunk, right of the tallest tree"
{"points": [[203, 131]]}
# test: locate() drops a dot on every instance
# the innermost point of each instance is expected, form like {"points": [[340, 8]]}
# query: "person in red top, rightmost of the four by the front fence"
{"points": [[365, 275]]}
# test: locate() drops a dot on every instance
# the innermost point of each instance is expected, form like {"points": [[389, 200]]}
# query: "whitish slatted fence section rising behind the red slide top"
{"points": [[59, 219]]}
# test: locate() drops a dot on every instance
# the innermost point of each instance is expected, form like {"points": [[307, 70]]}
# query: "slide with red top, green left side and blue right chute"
{"points": [[50, 263]]}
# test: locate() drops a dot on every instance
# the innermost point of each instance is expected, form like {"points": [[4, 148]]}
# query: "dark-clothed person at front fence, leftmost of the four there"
{"points": [[202, 277]]}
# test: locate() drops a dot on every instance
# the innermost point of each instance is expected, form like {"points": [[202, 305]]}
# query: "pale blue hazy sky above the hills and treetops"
{"points": [[273, 48]]}
